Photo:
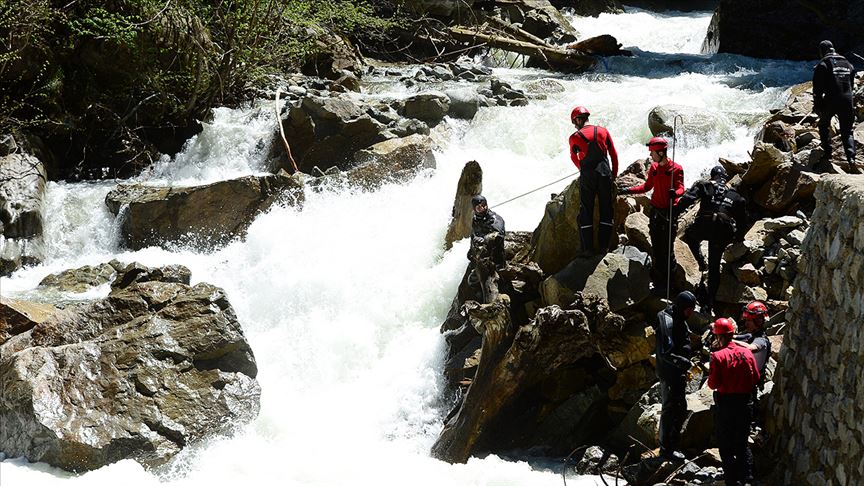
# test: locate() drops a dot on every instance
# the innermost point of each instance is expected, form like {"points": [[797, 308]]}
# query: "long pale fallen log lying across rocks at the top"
{"points": [[554, 56]]}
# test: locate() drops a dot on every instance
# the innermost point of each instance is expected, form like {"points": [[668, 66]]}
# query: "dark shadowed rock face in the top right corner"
{"points": [[780, 29]]}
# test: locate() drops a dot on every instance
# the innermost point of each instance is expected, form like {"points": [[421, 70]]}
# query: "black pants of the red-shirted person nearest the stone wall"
{"points": [[732, 423]]}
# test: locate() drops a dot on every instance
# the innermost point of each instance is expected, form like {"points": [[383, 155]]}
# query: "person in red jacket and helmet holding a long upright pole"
{"points": [[666, 178]]}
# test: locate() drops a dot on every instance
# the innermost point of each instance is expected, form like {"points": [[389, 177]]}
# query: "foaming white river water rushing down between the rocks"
{"points": [[341, 302]]}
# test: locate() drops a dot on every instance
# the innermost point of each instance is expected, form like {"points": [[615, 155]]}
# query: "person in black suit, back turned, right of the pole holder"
{"points": [[721, 219]]}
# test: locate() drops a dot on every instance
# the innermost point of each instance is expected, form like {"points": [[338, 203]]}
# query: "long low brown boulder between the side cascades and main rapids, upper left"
{"points": [[208, 215]]}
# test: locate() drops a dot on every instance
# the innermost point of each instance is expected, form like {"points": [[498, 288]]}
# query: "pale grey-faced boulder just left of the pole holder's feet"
{"points": [[620, 277]]}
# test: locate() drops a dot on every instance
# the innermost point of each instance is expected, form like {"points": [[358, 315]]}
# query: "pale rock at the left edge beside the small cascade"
{"points": [[22, 191]]}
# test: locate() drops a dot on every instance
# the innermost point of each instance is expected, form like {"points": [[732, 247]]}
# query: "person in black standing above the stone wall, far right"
{"points": [[833, 80]]}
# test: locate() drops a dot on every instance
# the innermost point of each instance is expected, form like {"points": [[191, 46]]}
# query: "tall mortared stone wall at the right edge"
{"points": [[817, 416]]}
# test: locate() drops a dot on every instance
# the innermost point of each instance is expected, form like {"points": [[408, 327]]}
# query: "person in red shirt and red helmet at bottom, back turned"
{"points": [[733, 374]]}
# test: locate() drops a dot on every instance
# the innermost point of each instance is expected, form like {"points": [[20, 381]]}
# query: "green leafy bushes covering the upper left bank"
{"points": [[156, 62]]}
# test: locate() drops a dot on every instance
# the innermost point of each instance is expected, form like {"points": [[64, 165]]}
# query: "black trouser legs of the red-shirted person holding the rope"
{"points": [[594, 186]]}
